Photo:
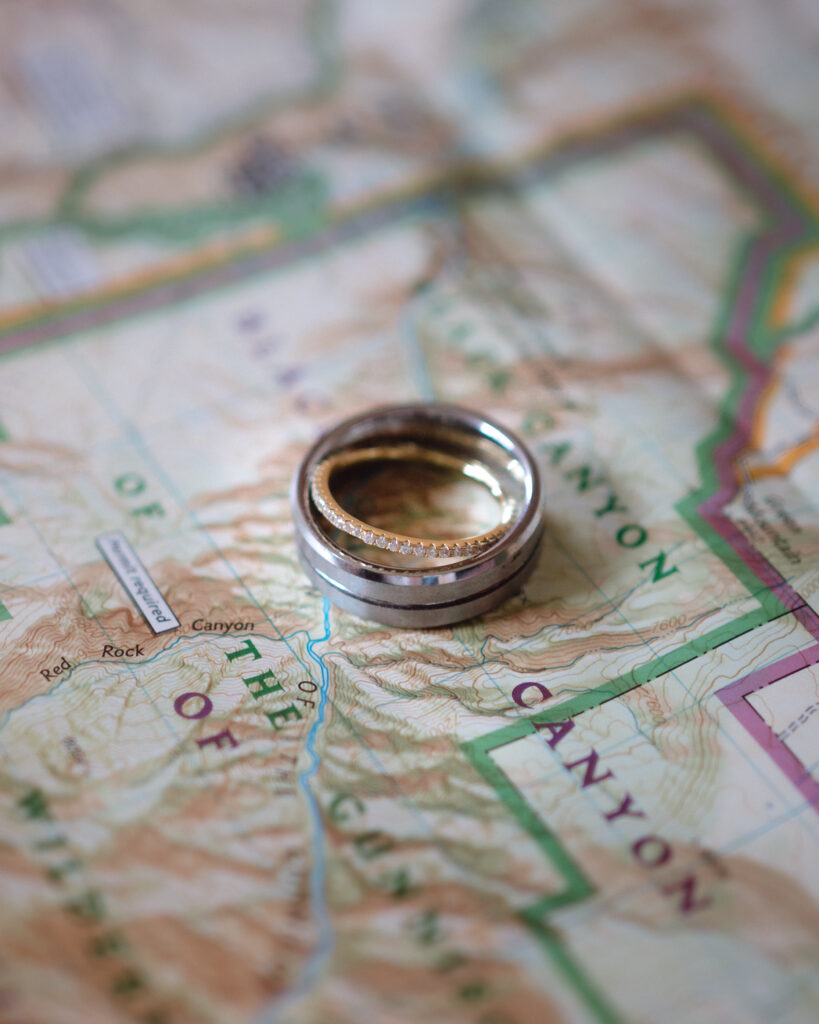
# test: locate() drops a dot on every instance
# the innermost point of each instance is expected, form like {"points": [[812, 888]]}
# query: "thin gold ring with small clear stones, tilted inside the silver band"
{"points": [[401, 543]]}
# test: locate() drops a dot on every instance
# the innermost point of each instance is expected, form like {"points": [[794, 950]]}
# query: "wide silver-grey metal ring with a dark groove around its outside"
{"points": [[453, 589]]}
